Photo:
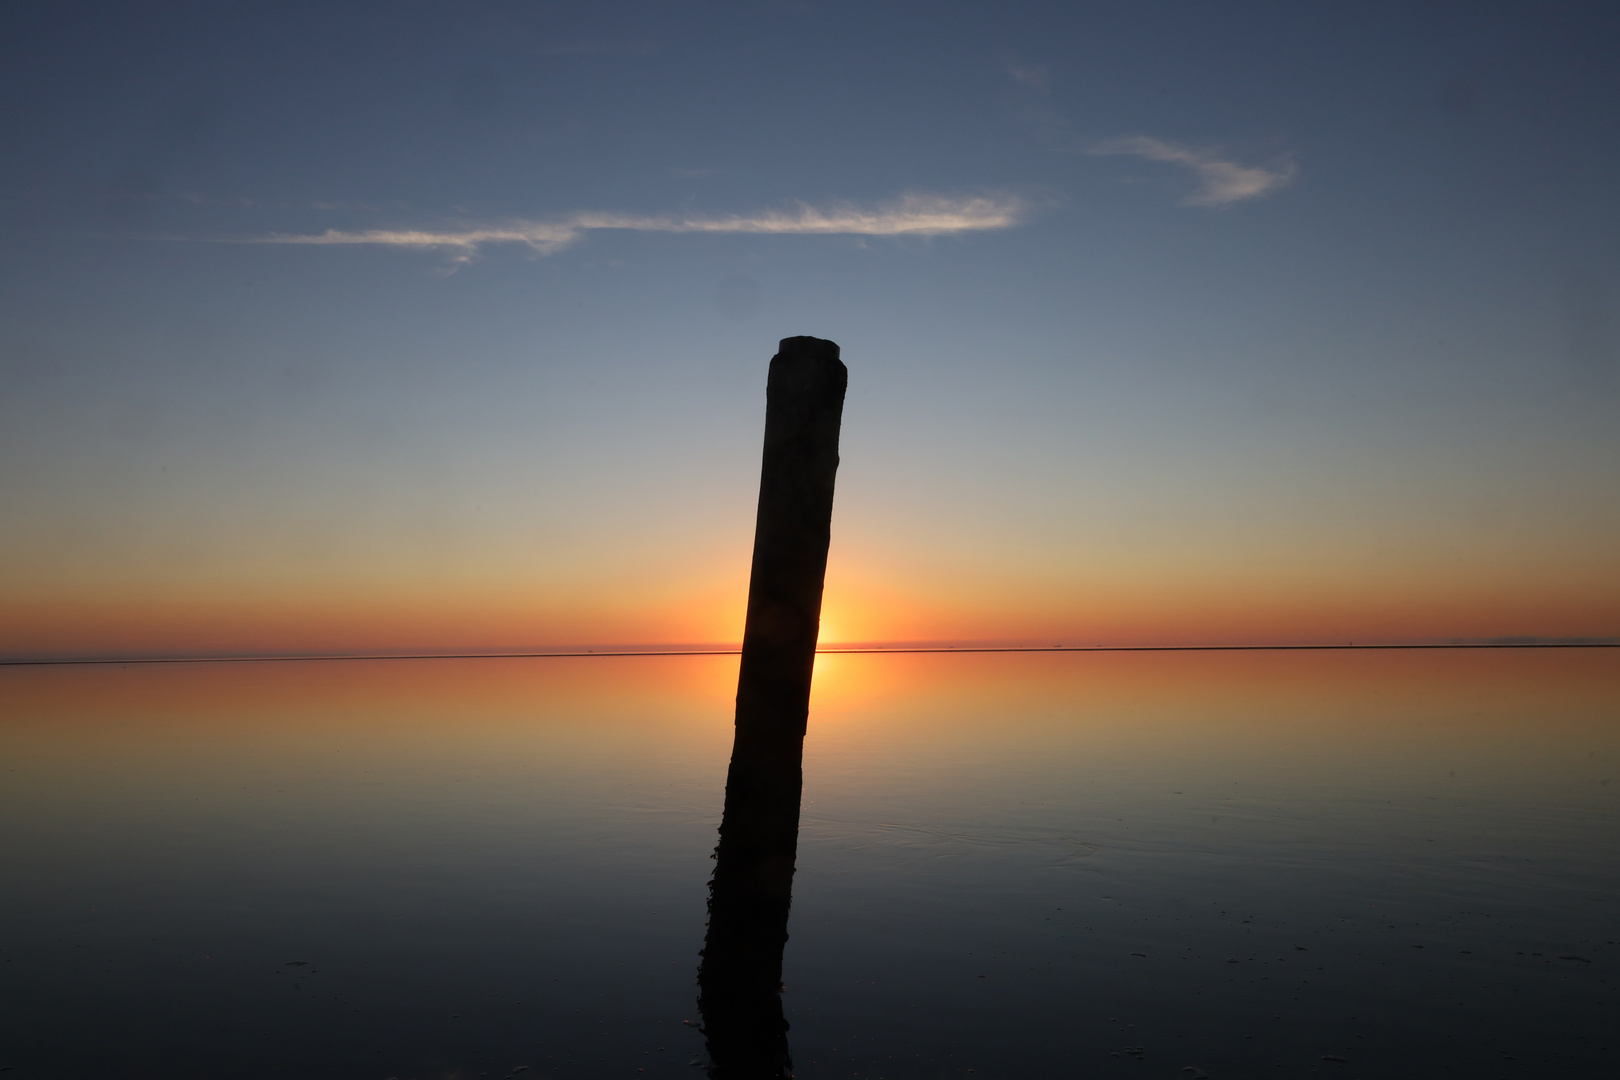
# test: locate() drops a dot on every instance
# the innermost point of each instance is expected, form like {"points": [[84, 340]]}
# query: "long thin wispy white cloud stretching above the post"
{"points": [[908, 216]]}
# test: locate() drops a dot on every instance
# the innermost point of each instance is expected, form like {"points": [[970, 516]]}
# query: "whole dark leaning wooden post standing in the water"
{"points": [[740, 984]]}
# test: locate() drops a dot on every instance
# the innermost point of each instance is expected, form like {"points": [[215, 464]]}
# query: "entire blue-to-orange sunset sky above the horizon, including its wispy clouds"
{"points": [[396, 328]]}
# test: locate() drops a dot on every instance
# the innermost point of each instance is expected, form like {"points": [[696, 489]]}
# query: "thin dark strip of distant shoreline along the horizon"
{"points": [[827, 652]]}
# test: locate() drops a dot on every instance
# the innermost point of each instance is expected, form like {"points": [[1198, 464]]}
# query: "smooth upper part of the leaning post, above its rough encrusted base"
{"points": [[804, 406]]}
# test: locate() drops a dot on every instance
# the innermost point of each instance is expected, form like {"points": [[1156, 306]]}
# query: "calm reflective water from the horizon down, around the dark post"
{"points": [[1010, 865]]}
